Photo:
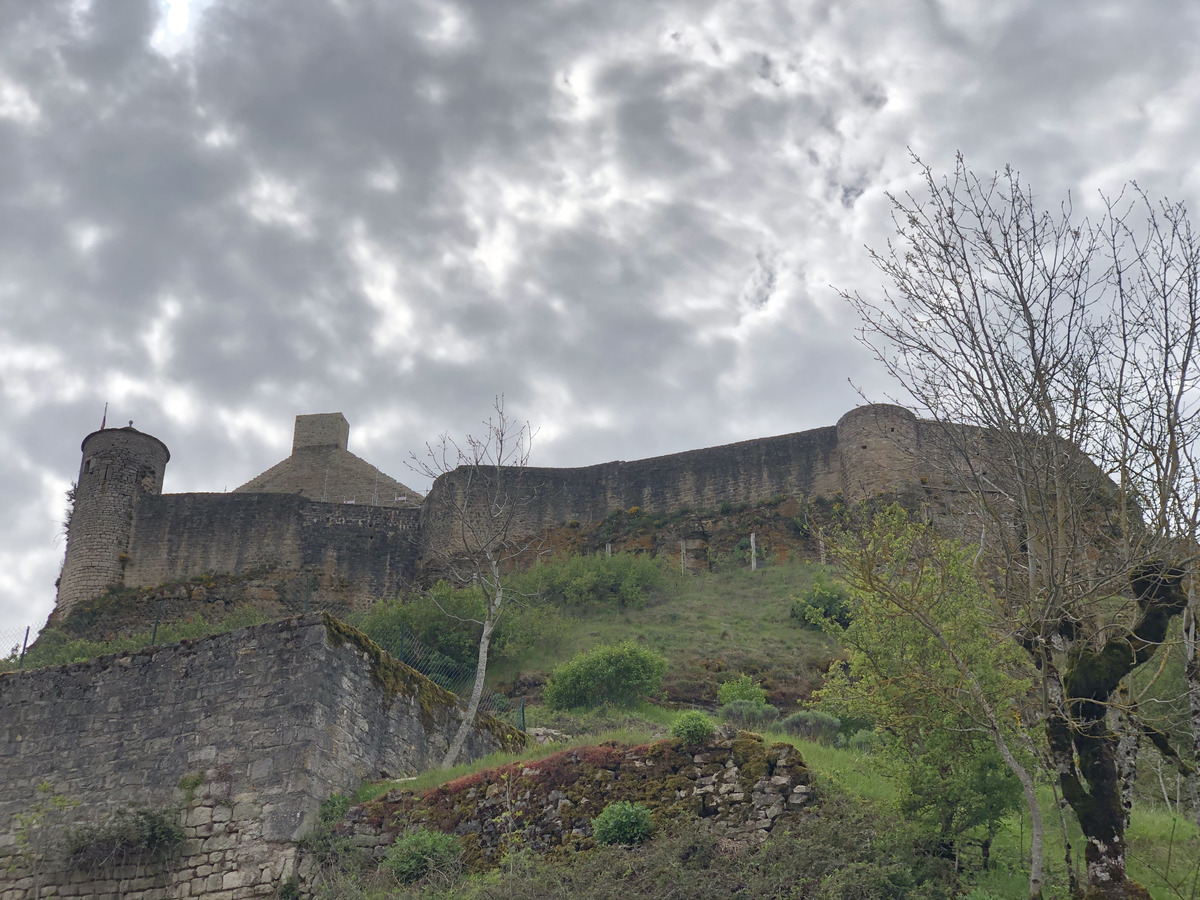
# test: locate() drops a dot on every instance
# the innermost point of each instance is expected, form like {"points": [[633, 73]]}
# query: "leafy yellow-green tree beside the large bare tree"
{"points": [[928, 664]]}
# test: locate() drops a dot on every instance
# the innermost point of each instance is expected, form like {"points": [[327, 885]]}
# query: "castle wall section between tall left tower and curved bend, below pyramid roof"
{"points": [[184, 536]]}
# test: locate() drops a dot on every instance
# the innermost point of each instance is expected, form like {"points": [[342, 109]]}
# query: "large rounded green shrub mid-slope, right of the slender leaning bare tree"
{"points": [[620, 674]]}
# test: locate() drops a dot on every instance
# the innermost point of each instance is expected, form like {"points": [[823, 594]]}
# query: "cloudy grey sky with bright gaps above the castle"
{"points": [[625, 215]]}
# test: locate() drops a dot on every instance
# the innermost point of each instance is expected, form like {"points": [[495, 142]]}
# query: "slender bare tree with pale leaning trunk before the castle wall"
{"points": [[475, 521]]}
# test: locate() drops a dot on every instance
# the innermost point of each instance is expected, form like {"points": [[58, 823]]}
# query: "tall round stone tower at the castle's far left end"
{"points": [[121, 466]]}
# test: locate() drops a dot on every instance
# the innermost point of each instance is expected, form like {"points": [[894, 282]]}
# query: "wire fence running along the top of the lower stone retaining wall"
{"points": [[199, 610]]}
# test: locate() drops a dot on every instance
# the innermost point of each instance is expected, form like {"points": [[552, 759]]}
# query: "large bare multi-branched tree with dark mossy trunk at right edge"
{"points": [[1024, 333]]}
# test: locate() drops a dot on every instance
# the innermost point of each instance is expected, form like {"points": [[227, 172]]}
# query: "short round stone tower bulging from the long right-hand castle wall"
{"points": [[879, 449]]}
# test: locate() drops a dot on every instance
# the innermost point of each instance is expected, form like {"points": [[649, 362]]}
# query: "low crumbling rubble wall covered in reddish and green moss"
{"points": [[739, 784]]}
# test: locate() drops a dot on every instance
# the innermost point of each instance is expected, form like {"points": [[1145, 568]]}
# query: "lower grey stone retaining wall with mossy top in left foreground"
{"points": [[266, 722]]}
